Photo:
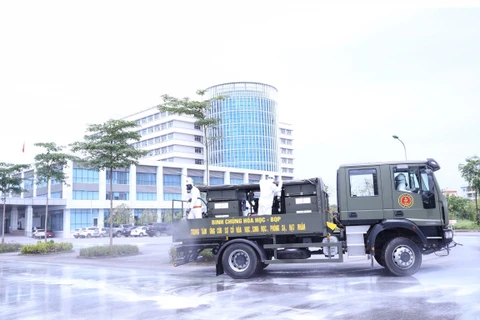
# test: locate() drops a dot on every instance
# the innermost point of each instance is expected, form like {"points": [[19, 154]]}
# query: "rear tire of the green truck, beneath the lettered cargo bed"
{"points": [[240, 261]]}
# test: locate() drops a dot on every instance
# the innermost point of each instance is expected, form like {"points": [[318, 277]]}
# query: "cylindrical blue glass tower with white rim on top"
{"points": [[247, 131]]}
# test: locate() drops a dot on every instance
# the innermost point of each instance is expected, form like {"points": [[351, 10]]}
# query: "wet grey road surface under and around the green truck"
{"points": [[147, 286]]}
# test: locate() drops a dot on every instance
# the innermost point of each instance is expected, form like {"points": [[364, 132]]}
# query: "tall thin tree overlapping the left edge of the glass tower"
{"points": [[200, 110]]}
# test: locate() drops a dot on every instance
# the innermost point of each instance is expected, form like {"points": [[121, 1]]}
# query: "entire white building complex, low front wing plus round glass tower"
{"points": [[253, 143]]}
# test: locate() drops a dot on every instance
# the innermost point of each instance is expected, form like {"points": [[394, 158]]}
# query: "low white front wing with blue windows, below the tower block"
{"points": [[85, 198]]}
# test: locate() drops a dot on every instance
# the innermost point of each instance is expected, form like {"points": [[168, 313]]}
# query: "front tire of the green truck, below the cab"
{"points": [[402, 257]]}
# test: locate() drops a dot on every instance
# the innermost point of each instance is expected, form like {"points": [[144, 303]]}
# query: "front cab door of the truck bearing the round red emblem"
{"points": [[414, 196]]}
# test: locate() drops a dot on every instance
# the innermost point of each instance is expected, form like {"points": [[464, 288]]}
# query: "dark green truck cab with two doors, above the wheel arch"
{"points": [[369, 193]]}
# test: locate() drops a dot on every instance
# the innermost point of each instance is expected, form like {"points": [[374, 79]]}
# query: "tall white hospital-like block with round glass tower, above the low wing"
{"points": [[249, 134]]}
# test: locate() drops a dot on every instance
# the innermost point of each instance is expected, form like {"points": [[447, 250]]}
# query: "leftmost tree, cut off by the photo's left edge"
{"points": [[10, 182]]}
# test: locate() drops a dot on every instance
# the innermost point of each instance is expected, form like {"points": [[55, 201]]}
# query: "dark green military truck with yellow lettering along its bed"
{"points": [[390, 212]]}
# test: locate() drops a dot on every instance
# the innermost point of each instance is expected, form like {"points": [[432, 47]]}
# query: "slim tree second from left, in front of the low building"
{"points": [[49, 167]]}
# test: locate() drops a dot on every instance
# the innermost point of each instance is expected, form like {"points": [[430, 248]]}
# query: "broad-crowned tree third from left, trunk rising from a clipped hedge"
{"points": [[108, 147]]}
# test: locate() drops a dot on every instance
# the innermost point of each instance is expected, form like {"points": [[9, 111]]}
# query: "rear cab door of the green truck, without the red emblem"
{"points": [[364, 199]]}
